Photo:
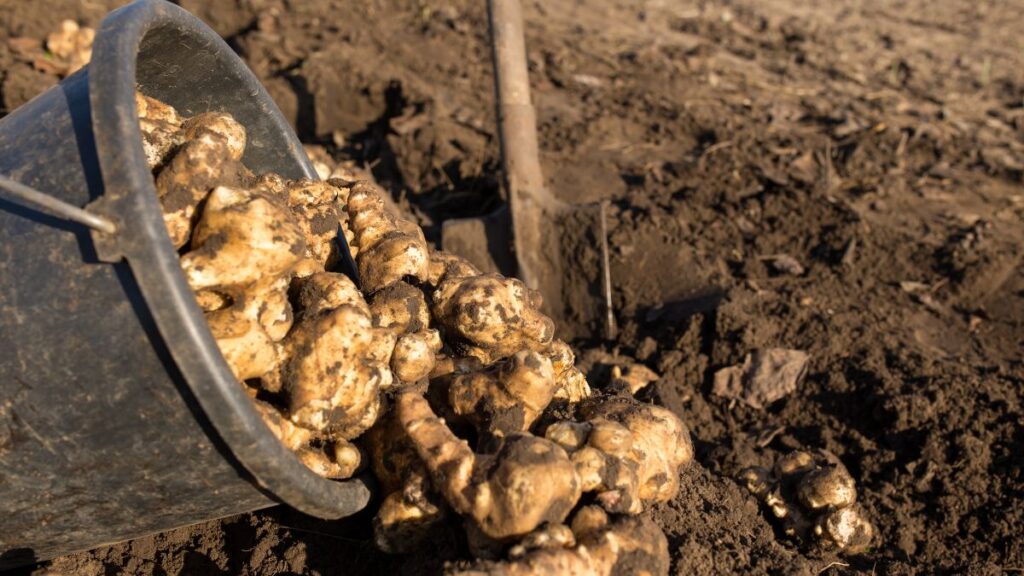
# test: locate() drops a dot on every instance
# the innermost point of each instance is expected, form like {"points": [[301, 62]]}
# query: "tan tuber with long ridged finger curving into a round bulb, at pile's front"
{"points": [[529, 482]]}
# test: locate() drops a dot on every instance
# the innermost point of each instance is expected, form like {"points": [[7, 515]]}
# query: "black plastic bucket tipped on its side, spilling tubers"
{"points": [[118, 416]]}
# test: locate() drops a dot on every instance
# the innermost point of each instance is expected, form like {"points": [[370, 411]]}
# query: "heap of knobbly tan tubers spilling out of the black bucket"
{"points": [[446, 383]]}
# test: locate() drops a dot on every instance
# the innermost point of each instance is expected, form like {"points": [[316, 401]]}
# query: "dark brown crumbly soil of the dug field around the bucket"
{"points": [[879, 144]]}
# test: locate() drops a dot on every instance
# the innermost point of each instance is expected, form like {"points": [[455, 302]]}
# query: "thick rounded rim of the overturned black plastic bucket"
{"points": [[131, 200]]}
